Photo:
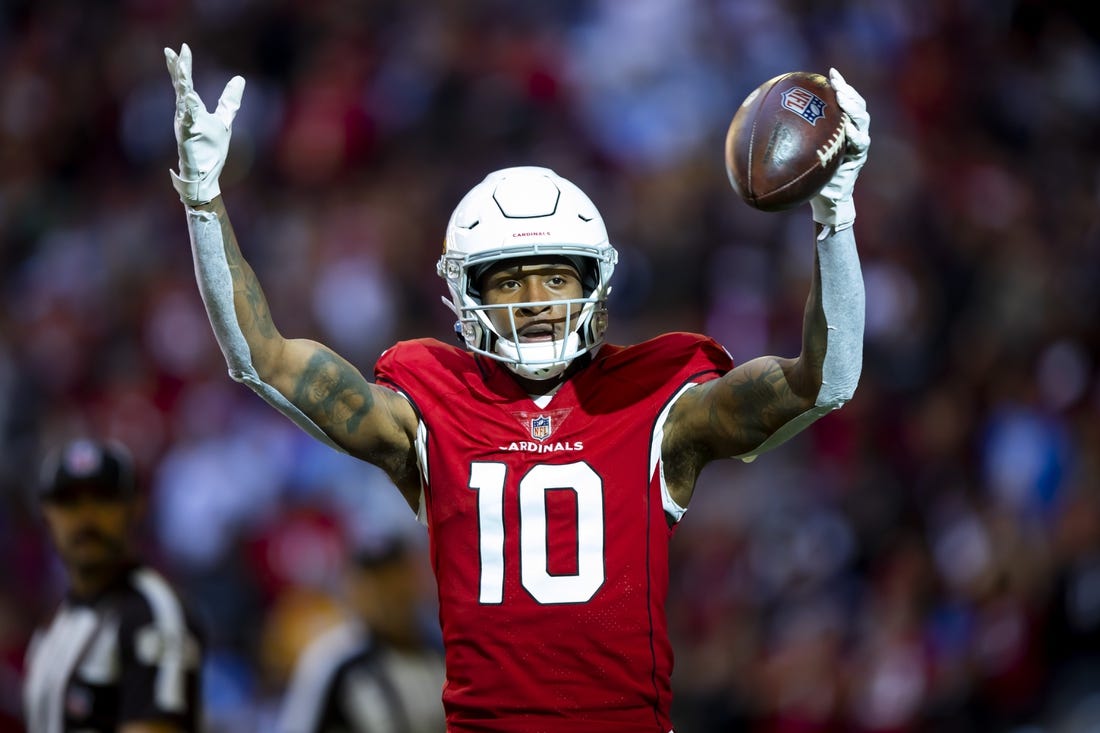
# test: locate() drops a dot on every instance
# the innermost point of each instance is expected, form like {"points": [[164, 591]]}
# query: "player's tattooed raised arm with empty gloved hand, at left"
{"points": [[306, 381]]}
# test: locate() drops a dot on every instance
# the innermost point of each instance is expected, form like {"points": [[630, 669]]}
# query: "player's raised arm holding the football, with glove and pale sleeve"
{"points": [[765, 402]]}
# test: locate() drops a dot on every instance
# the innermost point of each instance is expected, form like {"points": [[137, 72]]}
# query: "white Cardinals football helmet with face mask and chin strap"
{"points": [[522, 213]]}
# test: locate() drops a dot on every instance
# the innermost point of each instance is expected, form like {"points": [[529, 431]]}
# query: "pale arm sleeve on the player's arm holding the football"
{"points": [[843, 301]]}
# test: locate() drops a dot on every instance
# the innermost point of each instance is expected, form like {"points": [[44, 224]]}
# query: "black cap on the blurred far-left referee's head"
{"points": [[101, 469]]}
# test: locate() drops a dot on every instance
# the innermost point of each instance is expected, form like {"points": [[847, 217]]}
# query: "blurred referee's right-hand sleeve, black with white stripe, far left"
{"points": [[160, 657]]}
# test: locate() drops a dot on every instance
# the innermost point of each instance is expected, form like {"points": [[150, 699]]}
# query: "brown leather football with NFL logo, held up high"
{"points": [[785, 141]]}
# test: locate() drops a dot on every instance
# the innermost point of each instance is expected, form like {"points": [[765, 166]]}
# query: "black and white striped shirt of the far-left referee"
{"points": [[133, 654]]}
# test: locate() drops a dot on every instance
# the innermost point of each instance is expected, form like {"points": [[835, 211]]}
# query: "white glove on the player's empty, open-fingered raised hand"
{"points": [[203, 137]]}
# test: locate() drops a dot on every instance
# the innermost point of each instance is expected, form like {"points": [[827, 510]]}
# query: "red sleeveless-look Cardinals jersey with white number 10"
{"points": [[549, 534]]}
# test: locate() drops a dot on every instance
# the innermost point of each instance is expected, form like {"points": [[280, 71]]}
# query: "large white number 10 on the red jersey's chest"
{"points": [[488, 480]]}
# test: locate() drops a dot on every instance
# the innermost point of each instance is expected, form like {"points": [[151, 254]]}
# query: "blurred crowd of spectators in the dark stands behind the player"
{"points": [[927, 560]]}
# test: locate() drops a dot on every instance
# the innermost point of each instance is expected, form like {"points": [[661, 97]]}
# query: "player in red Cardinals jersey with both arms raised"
{"points": [[551, 467]]}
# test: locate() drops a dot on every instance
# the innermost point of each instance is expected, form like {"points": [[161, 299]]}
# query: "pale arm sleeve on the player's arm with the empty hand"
{"points": [[216, 286]]}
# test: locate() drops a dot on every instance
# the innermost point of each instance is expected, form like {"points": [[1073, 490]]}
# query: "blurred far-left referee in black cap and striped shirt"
{"points": [[122, 653]]}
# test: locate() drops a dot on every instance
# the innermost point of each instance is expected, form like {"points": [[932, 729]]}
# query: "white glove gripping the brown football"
{"points": [[833, 206]]}
